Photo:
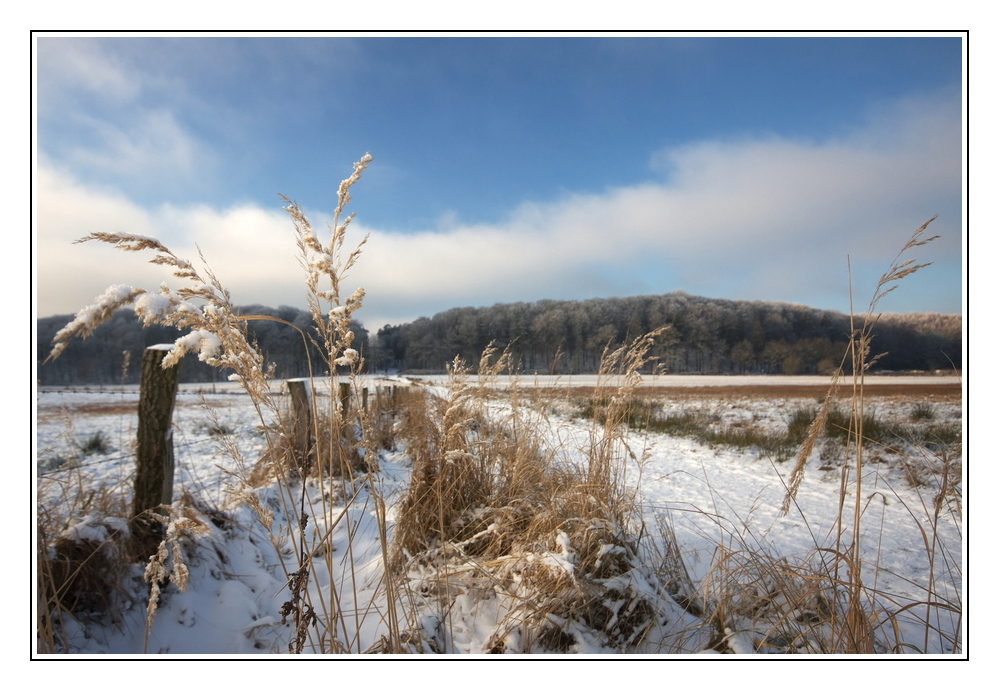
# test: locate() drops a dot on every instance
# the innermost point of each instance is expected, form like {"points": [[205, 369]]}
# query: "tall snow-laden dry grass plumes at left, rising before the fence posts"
{"points": [[313, 497]]}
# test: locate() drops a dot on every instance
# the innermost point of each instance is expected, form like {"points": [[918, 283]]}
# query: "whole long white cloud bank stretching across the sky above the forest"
{"points": [[765, 218]]}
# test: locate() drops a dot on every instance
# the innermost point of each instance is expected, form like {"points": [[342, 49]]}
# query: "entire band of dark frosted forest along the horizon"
{"points": [[705, 335]]}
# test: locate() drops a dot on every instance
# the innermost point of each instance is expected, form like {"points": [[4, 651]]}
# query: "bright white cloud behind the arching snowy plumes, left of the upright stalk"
{"points": [[250, 250]]}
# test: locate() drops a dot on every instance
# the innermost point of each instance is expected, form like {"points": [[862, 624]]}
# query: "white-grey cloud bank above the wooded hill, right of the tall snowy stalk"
{"points": [[755, 219]]}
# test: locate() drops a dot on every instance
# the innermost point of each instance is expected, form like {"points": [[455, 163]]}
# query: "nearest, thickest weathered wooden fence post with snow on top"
{"points": [[154, 456]]}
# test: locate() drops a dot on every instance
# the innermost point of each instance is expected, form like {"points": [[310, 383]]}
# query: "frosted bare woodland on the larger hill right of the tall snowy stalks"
{"points": [[709, 336]]}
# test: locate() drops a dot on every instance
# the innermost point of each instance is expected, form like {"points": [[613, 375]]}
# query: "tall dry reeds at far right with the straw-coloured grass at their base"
{"points": [[755, 599]]}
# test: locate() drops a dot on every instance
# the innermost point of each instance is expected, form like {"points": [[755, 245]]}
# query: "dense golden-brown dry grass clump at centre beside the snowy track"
{"points": [[547, 541]]}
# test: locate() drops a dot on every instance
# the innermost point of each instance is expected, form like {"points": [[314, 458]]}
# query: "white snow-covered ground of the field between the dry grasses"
{"points": [[714, 496]]}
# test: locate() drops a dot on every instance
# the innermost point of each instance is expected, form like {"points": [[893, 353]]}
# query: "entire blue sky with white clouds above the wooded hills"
{"points": [[506, 168]]}
